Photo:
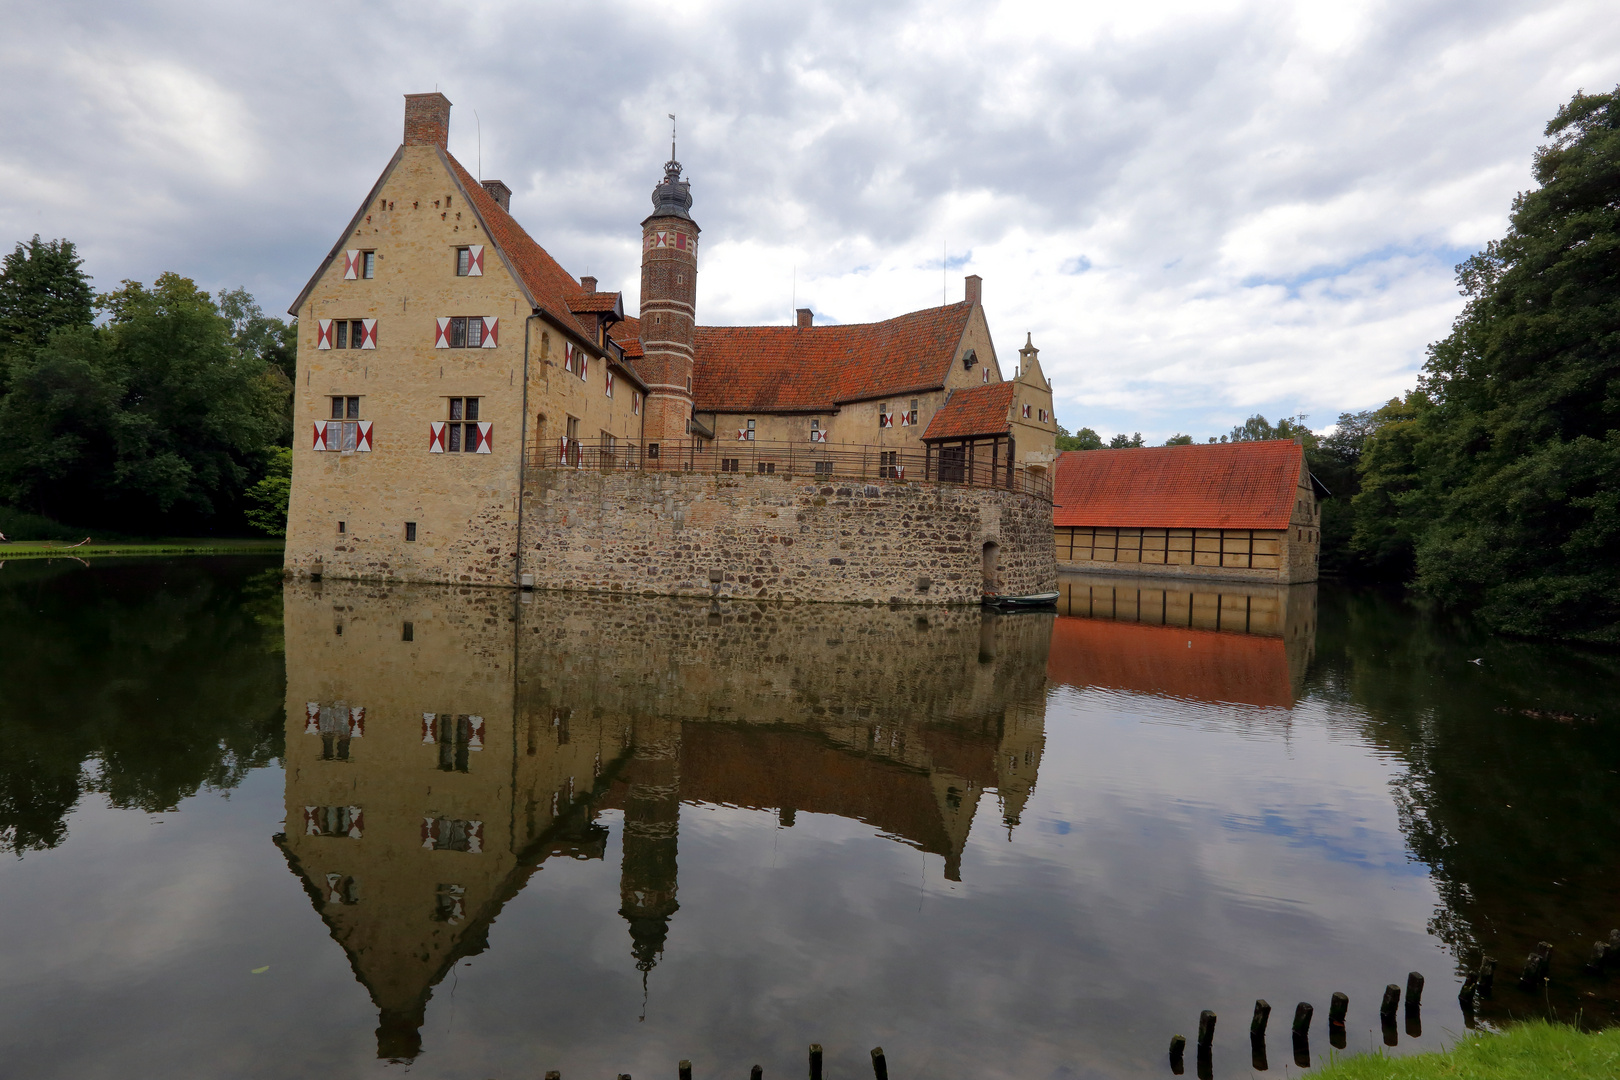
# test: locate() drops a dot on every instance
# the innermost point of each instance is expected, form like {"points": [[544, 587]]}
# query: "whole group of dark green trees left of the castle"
{"points": [[140, 410]]}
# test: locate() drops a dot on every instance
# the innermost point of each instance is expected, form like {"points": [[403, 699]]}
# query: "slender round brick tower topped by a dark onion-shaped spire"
{"points": [[670, 281]]}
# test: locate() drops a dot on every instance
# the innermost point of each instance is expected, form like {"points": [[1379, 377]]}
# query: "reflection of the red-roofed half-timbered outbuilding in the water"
{"points": [[1221, 642]]}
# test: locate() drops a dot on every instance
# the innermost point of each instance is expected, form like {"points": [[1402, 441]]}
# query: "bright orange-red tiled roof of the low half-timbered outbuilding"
{"points": [[1211, 487]]}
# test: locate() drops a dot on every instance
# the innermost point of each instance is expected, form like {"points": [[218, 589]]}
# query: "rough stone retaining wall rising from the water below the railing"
{"points": [[782, 538]]}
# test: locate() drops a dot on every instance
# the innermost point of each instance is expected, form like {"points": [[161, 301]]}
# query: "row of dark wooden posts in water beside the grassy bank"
{"points": [[1477, 985]]}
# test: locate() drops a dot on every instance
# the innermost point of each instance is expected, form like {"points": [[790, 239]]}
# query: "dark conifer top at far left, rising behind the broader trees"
{"points": [[41, 291]]}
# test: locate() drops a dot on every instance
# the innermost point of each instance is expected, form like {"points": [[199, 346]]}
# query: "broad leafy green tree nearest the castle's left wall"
{"points": [[155, 422]]}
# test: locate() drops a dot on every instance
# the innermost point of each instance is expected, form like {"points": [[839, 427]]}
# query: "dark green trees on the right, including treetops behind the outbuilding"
{"points": [[1494, 485]]}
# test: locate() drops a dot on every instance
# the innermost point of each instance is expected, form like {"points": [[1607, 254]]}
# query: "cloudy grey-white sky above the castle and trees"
{"points": [[1200, 210]]}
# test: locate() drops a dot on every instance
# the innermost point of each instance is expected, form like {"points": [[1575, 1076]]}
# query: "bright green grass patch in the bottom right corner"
{"points": [[1524, 1052]]}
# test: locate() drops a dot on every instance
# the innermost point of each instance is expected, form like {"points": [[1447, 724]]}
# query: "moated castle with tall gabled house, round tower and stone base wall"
{"points": [[450, 370]]}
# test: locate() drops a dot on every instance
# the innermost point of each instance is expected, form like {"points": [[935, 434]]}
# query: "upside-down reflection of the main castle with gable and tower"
{"points": [[445, 744]]}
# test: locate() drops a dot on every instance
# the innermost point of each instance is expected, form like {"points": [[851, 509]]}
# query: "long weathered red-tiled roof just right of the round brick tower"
{"points": [[814, 370]]}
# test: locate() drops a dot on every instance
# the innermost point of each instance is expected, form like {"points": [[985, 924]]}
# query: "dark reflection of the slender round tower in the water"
{"points": [[652, 820]]}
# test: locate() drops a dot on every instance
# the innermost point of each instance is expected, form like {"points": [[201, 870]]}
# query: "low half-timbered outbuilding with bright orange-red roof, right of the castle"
{"points": [[1238, 511]]}
